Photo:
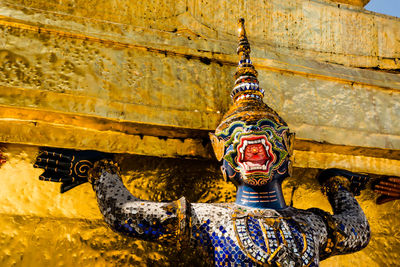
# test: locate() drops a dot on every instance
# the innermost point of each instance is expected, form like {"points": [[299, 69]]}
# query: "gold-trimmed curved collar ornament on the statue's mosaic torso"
{"points": [[275, 241]]}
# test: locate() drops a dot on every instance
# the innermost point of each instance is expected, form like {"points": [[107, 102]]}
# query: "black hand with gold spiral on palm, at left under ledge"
{"points": [[70, 167]]}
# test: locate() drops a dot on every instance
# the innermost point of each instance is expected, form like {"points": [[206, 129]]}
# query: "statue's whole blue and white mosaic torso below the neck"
{"points": [[256, 238]]}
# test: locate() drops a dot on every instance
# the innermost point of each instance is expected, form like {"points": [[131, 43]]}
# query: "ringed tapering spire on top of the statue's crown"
{"points": [[246, 83]]}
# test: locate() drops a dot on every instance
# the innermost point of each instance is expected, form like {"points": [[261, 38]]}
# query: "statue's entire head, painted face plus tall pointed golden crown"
{"points": [[252, 141]]}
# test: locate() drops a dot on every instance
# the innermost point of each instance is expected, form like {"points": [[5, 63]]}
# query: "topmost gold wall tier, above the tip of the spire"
{"points": [[291, 28]]}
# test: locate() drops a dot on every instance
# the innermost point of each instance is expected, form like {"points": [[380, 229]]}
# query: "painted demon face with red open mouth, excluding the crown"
{"points": [[254, 152]]}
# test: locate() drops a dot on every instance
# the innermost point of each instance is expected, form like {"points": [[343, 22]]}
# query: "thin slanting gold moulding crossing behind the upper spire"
{"points": [[221, 52]]}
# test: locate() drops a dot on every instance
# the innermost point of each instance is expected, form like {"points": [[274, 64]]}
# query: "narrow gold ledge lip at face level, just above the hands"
{"points": [[307, 154]]}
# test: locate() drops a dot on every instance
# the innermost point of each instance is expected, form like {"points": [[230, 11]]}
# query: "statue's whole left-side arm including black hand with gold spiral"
{"points": [[164, 222]]}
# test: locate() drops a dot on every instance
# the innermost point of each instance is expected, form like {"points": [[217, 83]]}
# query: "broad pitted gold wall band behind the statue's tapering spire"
{"points": [[289, 83]]}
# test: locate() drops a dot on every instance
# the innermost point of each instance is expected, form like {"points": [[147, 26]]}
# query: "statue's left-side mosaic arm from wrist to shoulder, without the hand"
{"points": [[124, 213]]}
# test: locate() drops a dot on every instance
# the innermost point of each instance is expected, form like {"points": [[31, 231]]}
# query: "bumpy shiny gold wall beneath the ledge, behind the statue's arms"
{"points": [[41, 227]]}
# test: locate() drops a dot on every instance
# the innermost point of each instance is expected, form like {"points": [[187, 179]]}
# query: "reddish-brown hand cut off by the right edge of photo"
{"points": [[389, 188]]}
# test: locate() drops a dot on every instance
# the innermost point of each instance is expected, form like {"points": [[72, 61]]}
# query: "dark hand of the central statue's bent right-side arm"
{"points": [[354, 182]]}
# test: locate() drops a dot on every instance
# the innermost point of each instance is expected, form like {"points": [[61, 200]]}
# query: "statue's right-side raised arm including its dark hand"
{"points": [[347, 229]]}
